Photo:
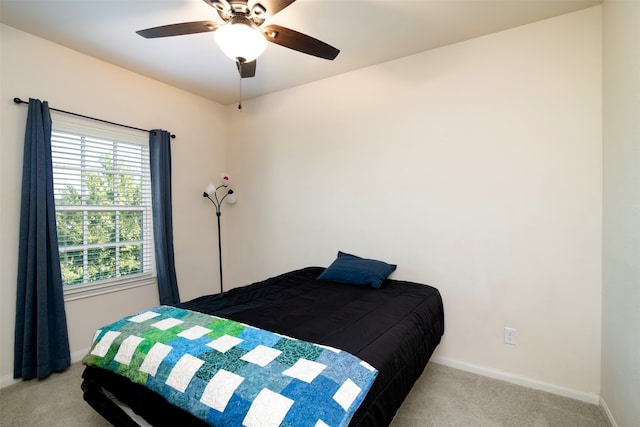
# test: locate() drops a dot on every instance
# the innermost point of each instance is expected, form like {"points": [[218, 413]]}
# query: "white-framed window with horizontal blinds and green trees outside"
{"points": [[102, 191]]}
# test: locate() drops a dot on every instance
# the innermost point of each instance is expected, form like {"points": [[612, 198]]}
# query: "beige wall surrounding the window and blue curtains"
{"points": [[33, 67]]}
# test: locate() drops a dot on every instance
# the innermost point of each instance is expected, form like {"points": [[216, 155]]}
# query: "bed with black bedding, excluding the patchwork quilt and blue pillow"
{"points": [[394, 328]]}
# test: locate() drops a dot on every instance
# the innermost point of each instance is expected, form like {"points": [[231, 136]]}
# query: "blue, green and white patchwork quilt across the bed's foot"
{"points": [[232, 374]]}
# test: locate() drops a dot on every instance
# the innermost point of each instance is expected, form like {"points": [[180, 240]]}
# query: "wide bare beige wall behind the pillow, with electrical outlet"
{"points": [[476, 168]]}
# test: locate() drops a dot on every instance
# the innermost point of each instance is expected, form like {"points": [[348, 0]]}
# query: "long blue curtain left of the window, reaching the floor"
{"points": [[41, 338]]}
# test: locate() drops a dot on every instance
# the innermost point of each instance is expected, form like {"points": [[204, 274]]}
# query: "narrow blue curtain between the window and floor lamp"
{"points": [[160, 156]]}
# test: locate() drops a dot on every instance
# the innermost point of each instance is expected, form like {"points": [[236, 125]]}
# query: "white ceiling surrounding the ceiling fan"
{"points": [[366, 31]]}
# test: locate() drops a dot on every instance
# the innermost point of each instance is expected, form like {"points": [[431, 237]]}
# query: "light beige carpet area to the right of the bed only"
{"points": [[447, 397]]}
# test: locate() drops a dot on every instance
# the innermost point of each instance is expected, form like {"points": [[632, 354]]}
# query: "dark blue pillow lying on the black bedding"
{"points": [[354, 270]]}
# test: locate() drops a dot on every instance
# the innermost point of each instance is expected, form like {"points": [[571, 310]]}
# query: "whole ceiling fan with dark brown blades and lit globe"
{"points": [[242, 36]]}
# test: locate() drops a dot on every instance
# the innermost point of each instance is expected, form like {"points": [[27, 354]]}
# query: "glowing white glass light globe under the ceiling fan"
{"points": [[239, 40]]}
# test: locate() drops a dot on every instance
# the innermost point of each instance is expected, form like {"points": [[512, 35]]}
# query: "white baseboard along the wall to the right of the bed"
{"points": [[594, 399]]}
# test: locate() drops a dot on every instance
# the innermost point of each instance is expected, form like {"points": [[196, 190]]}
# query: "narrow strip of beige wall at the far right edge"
{"points": [[621, 250]]}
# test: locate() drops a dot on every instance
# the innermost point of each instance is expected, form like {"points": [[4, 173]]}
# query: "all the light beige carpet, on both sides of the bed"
{"points": [[442, 397]]}
